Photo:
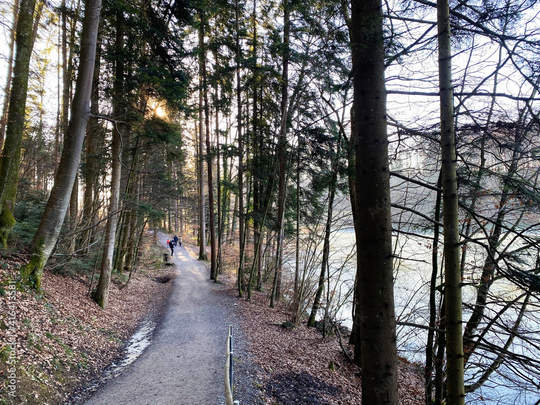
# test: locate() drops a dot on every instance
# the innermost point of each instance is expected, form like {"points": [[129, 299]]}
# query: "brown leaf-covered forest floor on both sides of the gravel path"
{"points": [[64, 341]]}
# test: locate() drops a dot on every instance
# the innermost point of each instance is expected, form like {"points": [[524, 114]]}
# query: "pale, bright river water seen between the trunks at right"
{"points": [[508, 384]]}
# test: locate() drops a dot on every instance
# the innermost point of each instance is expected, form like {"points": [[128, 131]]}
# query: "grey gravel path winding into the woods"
{"points": [[184, 365]]}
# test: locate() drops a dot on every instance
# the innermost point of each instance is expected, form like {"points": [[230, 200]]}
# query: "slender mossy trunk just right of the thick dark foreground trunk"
{"points": [[454, 338]]}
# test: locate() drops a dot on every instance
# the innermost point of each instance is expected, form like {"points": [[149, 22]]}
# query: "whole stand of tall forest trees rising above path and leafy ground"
{"points": [[372, 164]]}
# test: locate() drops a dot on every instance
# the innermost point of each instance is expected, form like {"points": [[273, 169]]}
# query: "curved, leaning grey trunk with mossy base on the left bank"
{"points": [[57, 205]]}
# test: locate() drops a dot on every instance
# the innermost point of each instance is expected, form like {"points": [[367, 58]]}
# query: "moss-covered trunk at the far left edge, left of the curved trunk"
{"points": [[11, 153]]}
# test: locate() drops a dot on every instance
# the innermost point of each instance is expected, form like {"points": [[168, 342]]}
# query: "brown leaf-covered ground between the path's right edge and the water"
{"points": [[297, 366]]}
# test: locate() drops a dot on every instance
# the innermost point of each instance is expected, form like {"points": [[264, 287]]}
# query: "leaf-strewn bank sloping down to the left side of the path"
{"points": [[63, 338]]}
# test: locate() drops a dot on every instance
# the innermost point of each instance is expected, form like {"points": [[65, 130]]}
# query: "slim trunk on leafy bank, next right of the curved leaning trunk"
{"points": [[101, 294]]}
